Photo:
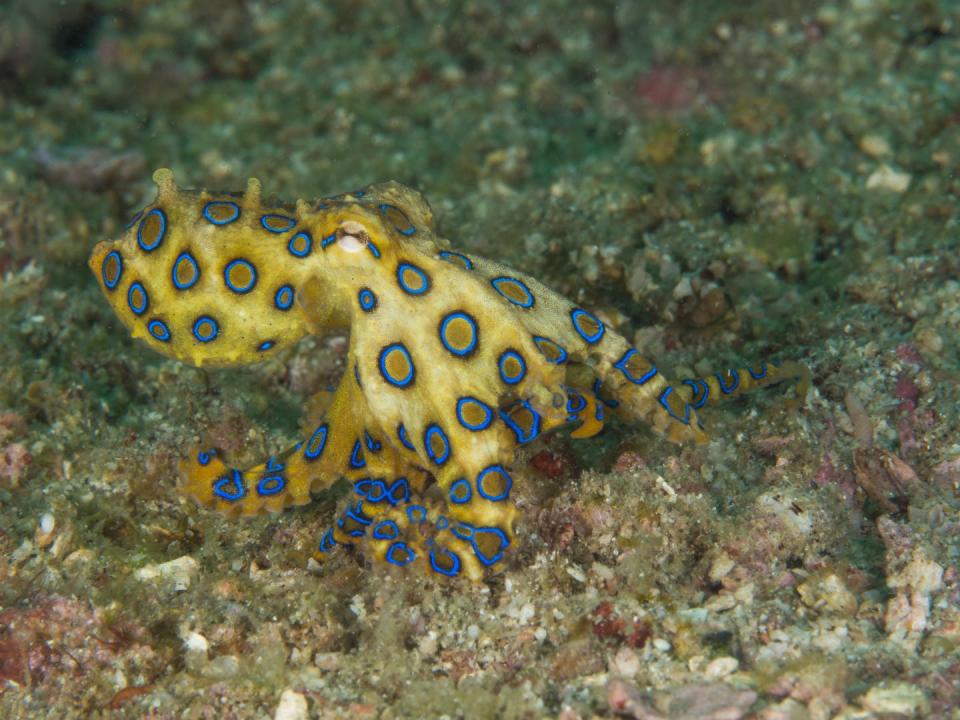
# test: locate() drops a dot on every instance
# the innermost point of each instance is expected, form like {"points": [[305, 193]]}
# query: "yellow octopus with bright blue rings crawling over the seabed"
{"points": [[454, 360]]}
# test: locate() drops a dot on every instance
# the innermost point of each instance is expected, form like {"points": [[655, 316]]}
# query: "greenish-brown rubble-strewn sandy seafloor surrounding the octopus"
{"points": [[721, 181]]}
